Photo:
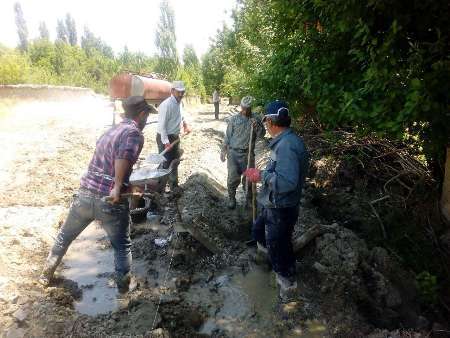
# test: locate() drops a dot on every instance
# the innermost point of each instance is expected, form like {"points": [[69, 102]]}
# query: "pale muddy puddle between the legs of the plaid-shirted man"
{"points": [[90, 263]]}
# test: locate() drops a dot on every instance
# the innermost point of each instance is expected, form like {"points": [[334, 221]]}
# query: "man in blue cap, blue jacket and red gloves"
{"points": [[279, 198]]}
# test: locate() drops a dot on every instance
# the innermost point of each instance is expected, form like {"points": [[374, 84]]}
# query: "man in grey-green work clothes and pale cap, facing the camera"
{"points": [[241, 129]]}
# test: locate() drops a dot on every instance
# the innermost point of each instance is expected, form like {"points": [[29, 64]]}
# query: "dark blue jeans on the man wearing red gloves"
{"points": [[273, 229]]}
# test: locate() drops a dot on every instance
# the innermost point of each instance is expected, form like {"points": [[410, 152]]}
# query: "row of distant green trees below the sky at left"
{"points": [[93, 64]]}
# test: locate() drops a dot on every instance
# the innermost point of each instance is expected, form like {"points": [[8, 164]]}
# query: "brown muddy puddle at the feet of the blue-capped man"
{"points": [[239, 304]]}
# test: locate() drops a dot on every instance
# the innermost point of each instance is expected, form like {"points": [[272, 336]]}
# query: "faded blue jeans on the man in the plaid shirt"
{"points": [[115, 220]]}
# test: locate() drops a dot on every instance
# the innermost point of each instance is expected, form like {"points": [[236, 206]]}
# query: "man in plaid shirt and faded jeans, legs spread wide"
{"points": [[107, 175]]}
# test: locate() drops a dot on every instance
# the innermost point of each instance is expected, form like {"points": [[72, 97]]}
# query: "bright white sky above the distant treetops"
{"points": [[130, 23]]}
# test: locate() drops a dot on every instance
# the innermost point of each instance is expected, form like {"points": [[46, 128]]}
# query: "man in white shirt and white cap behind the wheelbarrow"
{"points": [[170, 120]]}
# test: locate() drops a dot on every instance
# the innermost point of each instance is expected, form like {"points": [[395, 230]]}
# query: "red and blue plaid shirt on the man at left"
{"points": [[123, 141]]}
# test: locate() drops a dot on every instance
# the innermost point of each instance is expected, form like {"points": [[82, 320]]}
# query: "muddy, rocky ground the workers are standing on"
{"points": [[194, 274]]}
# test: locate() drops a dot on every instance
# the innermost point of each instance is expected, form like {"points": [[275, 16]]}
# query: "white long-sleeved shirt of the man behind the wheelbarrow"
{"points": [[169, 118]]}
